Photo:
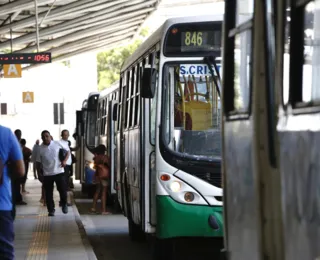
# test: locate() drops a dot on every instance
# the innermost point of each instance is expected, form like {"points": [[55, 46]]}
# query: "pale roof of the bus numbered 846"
{"points": [[158, 35]]}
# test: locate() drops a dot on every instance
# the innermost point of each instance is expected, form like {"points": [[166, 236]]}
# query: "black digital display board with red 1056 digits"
{"points": [[25, 58]]}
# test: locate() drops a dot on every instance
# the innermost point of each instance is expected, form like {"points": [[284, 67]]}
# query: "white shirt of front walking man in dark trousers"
{"points": [[48, 156]]}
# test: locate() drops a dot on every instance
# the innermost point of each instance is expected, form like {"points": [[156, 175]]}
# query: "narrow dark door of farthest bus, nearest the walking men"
{"points": [[80, 145]]}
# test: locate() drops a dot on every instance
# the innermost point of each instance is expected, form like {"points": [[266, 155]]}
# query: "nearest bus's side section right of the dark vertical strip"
{"points": [[299, 130]]}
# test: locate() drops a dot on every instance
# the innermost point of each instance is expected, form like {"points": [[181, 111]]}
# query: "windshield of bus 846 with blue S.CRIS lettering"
{"points": [[192, 110]]}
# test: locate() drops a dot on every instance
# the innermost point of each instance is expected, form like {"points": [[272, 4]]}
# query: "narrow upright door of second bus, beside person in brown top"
{"points": [[111, 146]]}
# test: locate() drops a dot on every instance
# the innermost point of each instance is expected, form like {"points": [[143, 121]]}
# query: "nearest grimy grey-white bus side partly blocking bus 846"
{"points": [[271, 130]]}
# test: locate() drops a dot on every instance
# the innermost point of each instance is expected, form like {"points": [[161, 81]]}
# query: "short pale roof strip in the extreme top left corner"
{"points": [[21, 5]]}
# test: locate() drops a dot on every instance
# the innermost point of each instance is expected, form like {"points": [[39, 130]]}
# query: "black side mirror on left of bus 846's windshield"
{"points": [[148, 82]]}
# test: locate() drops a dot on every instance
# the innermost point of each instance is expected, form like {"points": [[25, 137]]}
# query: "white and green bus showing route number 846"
{"points": [[167, 135]]}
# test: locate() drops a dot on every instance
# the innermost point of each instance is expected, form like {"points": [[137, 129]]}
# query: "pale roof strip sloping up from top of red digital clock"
{"points": [[87, 32]]}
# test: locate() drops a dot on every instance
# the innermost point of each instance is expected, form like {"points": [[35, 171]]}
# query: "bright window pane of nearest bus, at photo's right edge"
{"points": [[311, 68]]}
